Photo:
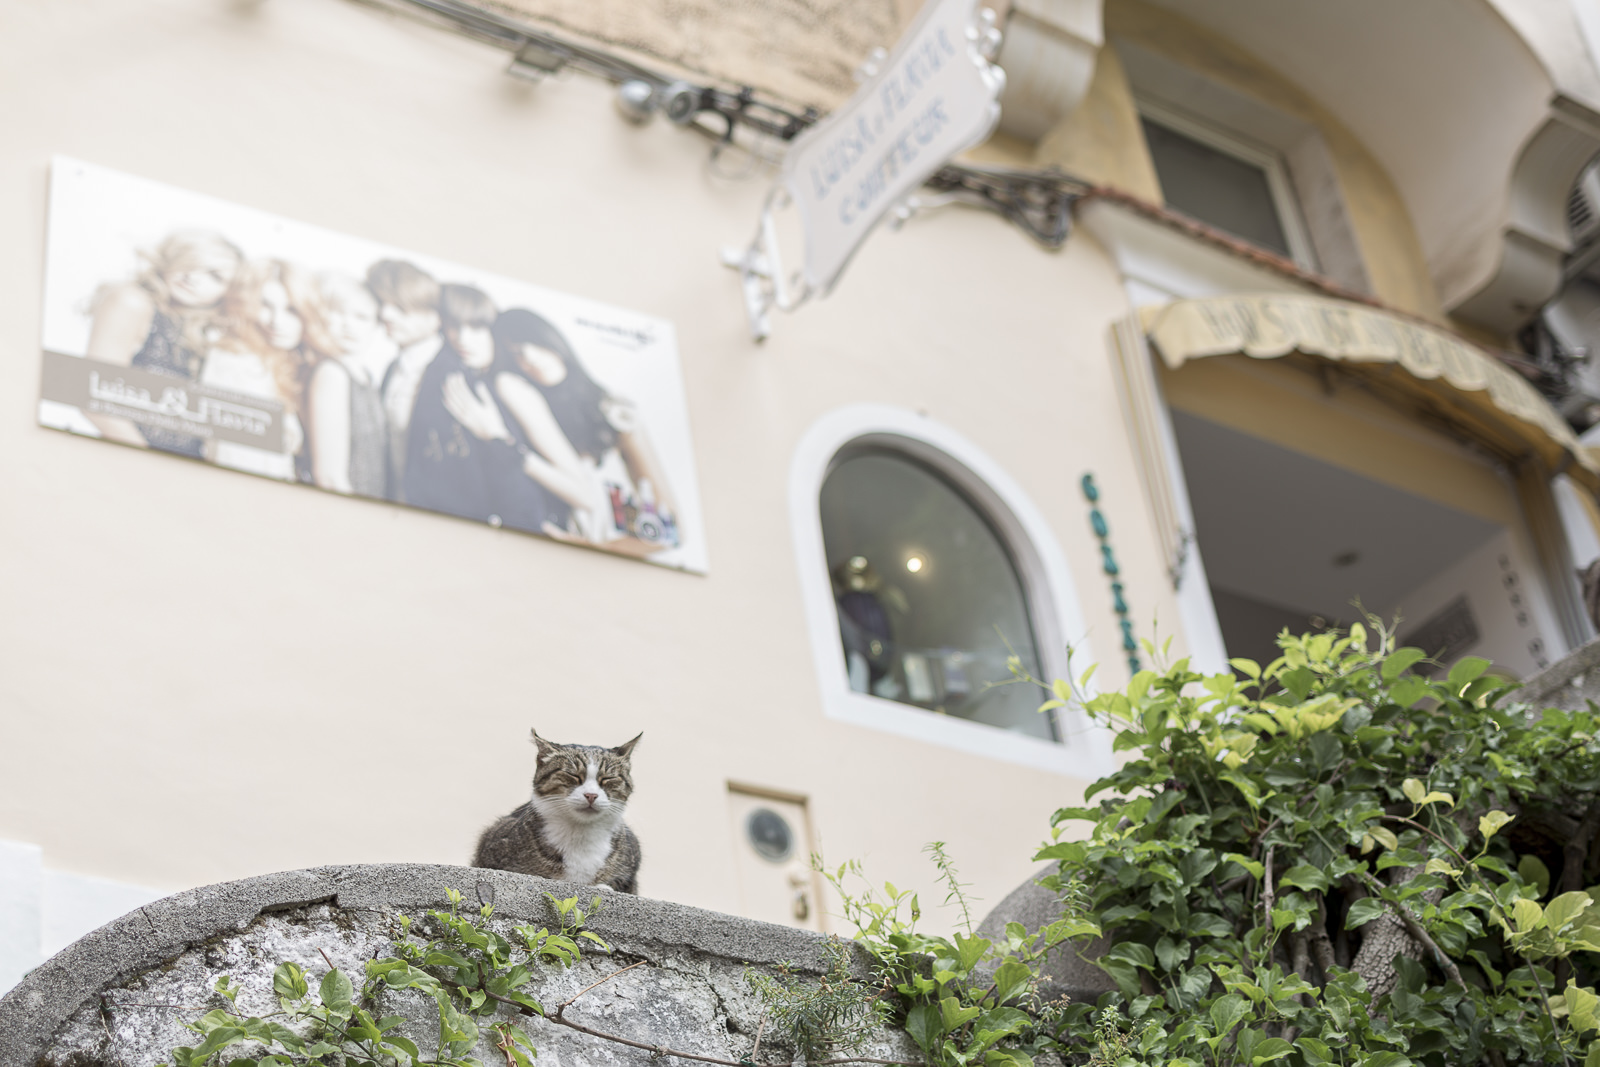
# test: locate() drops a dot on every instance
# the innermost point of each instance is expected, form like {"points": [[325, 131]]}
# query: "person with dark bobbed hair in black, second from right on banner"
{"points": [[470, 473]]}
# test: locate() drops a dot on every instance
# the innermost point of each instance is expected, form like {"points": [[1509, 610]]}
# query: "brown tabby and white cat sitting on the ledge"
{"points": [[572, 829]]}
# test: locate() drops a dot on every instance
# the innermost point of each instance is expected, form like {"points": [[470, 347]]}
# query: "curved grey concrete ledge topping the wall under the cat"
{"points": [[162, 932]]}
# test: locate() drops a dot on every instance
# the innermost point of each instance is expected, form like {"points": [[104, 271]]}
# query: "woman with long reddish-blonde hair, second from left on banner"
{"points": [[263, 354]]}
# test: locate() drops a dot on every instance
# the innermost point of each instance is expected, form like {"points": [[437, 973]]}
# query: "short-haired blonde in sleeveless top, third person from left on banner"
{"points": [[350, 431]]}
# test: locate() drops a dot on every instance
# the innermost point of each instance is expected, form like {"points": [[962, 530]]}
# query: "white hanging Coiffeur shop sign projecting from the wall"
{"points": [[932, 98]]}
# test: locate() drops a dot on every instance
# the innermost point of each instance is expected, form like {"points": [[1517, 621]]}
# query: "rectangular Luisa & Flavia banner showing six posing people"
{"points": [[190, 326]]}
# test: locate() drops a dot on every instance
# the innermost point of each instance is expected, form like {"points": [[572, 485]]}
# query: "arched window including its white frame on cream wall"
{"points": [[956, 564]]}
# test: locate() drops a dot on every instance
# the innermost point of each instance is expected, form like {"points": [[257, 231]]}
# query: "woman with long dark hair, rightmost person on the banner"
{"points": [[588, 447]]}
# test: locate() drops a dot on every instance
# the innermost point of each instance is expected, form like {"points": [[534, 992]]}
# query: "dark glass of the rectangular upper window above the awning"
{"points": [[1217, 188]]}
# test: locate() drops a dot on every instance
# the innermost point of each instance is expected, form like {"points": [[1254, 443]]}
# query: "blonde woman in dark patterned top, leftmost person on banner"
{"points": [[164, 322]]}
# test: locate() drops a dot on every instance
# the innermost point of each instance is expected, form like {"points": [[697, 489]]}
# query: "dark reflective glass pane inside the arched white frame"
{"points": [[927, 594]]}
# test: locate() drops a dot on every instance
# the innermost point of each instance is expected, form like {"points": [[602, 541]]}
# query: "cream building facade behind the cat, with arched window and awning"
{"points": [[1273, 361]]}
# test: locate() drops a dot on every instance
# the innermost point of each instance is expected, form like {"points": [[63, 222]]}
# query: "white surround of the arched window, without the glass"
{"points": [[1047, 585]]}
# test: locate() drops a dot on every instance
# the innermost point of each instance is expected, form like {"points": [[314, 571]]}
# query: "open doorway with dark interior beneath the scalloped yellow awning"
{"points": [[1290, 541]]}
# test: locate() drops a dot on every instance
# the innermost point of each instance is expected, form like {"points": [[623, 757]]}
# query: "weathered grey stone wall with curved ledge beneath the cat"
{"points": [[119, 994]]}
